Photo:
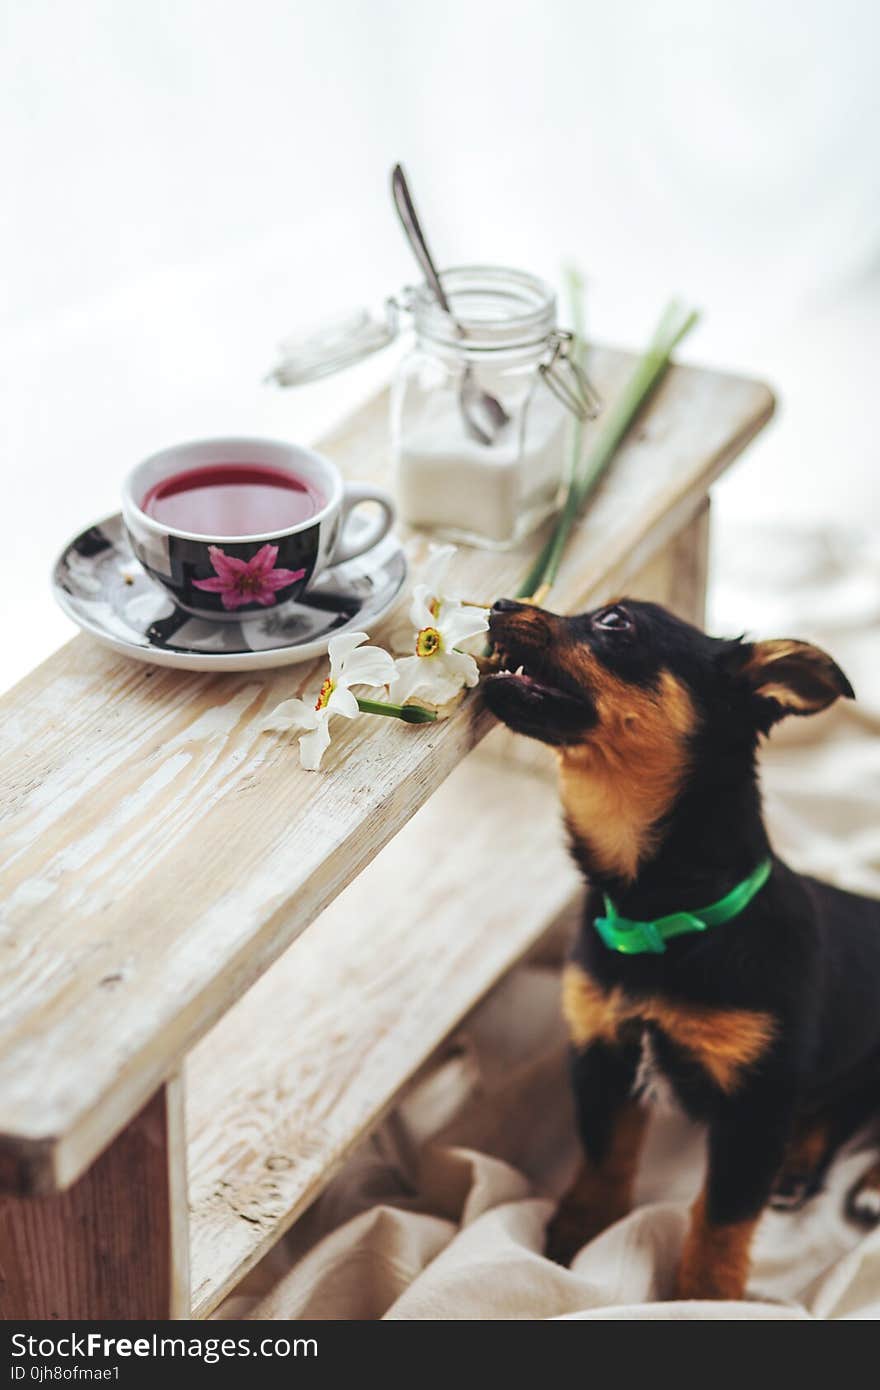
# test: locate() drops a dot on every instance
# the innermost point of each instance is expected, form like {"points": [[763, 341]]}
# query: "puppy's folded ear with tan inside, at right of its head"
{"points": [[788, 678]]}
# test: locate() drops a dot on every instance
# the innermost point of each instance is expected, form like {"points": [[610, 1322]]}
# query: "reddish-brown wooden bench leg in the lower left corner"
{"points": [[116, 1245]]}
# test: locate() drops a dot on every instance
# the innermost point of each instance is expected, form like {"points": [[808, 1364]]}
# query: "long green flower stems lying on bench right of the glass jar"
{"points": [[647, 375]]}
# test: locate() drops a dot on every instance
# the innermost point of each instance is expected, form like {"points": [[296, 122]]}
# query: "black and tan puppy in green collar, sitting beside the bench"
{"points": [[754, 990]]}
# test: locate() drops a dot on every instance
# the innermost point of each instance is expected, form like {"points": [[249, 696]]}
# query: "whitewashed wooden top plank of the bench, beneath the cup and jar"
{"points": [[159, 851]]}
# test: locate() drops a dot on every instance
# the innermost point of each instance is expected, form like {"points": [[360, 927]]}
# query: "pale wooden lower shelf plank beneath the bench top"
{"points": [[311, 1060]]}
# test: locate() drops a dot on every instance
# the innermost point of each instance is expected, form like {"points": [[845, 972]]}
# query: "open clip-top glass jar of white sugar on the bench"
{"points": [[486, 487]]}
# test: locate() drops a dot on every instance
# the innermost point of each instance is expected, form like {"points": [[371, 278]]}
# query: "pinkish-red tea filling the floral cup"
{"points": [[226, 500]]}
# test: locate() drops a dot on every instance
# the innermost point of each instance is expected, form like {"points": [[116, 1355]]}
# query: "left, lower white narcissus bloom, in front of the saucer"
{"points": [[351, 664]]}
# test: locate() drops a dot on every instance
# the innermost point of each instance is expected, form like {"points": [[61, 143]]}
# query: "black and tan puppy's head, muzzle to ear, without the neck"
{"points": [[630, 673]]}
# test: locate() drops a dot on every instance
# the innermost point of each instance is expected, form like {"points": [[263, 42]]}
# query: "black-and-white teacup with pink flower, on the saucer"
{"points": [[229, 579]]}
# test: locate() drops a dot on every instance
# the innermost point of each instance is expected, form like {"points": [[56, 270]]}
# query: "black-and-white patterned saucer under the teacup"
{"points": [[102, 587]]}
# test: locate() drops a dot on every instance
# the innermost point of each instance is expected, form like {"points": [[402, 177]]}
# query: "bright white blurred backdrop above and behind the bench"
{"points": [[188, 181]]}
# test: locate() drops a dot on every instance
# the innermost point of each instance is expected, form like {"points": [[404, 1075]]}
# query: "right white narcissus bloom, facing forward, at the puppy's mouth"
{"points": [[439, 672]]}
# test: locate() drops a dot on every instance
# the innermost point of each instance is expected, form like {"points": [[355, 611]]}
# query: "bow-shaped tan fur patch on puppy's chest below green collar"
{"points": [[724, 1042]]}
